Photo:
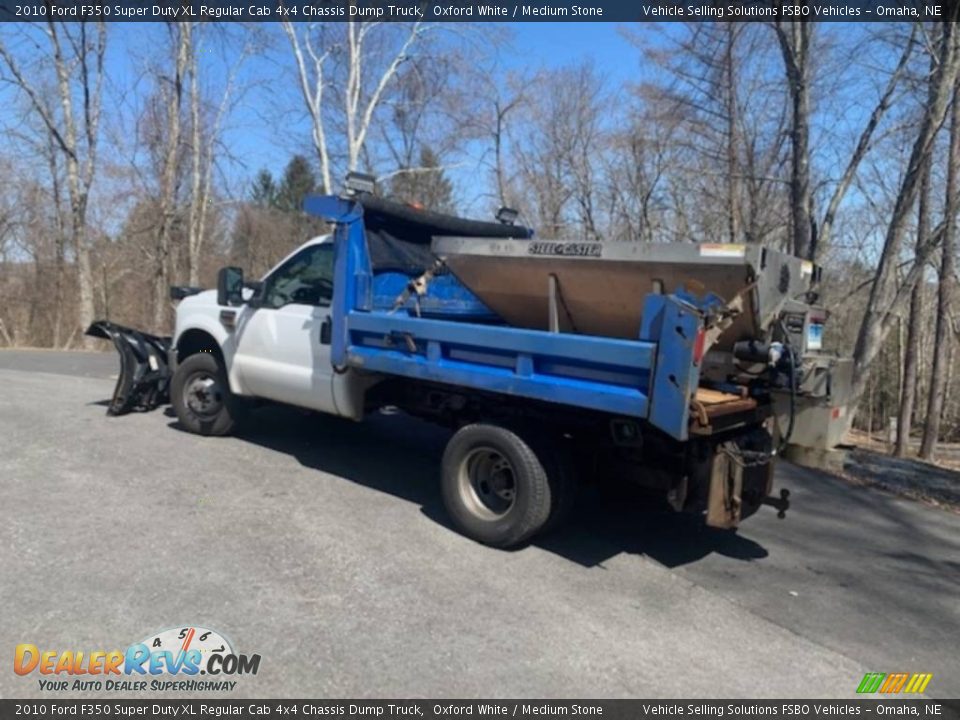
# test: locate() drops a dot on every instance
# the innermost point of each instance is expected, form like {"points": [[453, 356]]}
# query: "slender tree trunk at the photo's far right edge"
{"points": [[941, 343]]}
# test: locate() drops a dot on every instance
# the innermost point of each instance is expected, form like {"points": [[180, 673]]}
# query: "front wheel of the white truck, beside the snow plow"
{"points": [[201, 396]]}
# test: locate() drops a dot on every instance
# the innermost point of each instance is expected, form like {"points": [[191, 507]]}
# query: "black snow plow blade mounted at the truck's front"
{"points": [[144, 380]]}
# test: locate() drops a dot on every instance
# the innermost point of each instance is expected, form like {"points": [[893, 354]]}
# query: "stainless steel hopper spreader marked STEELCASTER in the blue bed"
{"points": [[600, 287]]}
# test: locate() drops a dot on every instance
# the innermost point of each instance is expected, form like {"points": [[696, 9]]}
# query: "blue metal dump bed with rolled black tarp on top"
{"points": [[448, 336]]}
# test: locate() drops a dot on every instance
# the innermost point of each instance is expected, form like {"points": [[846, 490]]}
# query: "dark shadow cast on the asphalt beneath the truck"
{"points": [[401, 456]]}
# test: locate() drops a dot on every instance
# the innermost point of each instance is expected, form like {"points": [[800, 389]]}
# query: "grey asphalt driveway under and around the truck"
{"points": [[322, 545]]}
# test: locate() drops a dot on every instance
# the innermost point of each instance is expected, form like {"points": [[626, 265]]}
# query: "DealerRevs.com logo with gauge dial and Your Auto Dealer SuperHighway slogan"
{"points": [[179, 659]]}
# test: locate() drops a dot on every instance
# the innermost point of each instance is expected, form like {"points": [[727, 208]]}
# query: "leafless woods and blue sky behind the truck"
{"points": [[837, 142]]}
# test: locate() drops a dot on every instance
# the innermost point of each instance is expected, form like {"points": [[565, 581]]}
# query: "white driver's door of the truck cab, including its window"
{"points": [[279, 353]]}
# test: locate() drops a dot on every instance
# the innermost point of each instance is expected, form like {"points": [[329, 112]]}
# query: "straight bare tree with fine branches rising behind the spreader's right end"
{"points": [[727, 142]]}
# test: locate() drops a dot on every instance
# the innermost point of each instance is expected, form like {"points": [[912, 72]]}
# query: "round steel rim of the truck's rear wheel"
{"points": [[486, 482]]}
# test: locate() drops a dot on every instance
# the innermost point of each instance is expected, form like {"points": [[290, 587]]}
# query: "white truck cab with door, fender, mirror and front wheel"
{"points": [[271, 339]]}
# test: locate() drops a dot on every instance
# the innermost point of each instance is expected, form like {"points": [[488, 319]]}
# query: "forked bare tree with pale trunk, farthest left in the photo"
{"points": [[76, 55]]}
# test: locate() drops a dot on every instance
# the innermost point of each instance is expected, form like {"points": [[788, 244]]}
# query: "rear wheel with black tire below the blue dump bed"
{"points": [[495, 487]]}
